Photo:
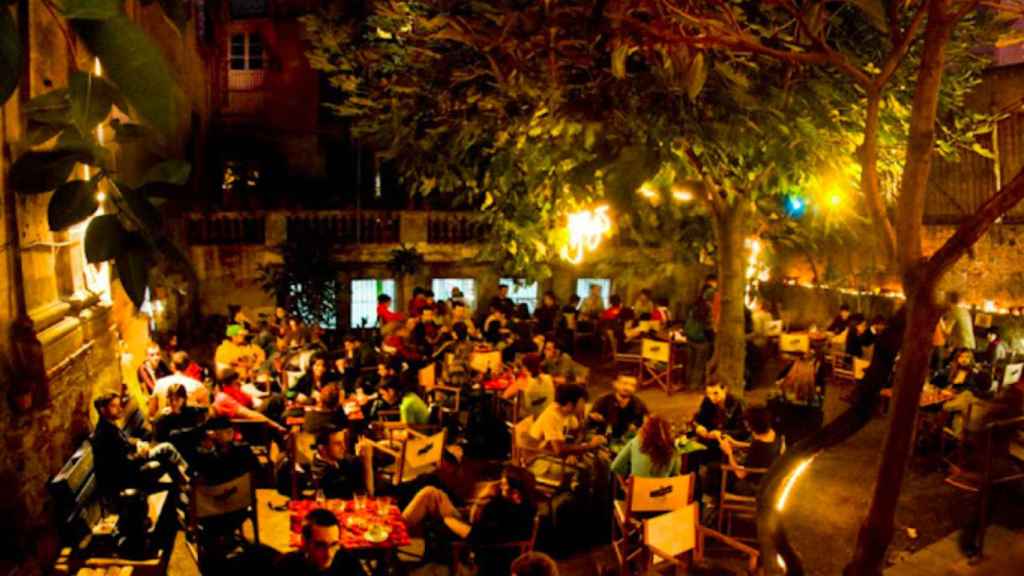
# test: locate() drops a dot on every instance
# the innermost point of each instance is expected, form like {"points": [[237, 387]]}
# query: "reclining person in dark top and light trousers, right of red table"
{"points": [[502, 513]]}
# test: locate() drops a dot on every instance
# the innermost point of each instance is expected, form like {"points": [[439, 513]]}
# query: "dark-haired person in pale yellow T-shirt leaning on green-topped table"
{"points": [[551, 431]]}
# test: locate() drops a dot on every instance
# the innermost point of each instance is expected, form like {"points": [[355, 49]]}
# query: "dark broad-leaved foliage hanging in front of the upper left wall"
{"points": [[60, 136]]}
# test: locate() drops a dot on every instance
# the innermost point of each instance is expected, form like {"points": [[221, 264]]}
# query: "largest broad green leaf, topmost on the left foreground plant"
{"points": [[137, 66]]}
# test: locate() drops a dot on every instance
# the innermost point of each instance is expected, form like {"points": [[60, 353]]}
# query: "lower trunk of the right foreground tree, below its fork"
{"points": [[912, 369]]}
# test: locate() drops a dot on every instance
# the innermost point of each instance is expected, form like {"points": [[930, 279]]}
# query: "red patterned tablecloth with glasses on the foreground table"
{"points": [[353, 533]]}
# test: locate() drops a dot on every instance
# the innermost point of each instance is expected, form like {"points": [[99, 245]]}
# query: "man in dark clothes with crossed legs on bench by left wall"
{"points": [[120, 460]]}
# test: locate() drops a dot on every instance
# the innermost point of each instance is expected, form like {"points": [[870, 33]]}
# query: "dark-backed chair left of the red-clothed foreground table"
{"points": [[237, 497]]}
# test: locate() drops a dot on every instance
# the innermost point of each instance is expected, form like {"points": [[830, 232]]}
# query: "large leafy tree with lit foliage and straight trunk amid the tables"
{"points": [[542, 108]]}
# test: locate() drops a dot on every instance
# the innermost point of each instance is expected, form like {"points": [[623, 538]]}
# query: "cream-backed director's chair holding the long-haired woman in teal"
{"points": [[645, 497]]}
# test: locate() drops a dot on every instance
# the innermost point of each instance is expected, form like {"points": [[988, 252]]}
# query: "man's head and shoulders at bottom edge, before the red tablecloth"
{"points": [[321, 554]]}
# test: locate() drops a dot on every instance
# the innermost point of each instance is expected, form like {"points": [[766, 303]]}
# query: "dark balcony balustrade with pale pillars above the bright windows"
{"points": [[342, 227]]}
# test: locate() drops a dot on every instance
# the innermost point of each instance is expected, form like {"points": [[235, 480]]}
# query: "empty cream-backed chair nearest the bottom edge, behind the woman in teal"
{"points": [[678, 539]]}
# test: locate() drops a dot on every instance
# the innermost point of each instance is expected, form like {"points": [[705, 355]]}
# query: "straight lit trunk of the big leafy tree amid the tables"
{"points": [[731, 338]]}
